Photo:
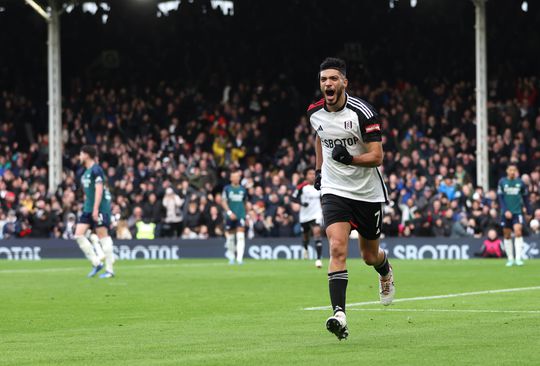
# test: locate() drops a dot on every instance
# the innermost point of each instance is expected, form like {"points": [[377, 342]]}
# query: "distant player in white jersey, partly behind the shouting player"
{"points": [[309, 199]]}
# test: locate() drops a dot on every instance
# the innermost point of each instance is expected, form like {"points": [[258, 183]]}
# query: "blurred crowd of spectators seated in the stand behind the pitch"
{"points": [[167, 152]]}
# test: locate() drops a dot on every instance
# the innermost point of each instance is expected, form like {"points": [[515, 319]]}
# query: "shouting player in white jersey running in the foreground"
{"points": [[348, 153]]}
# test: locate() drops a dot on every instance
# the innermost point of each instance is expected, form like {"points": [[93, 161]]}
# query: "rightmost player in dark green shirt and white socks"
{"points": [[513, 197]]}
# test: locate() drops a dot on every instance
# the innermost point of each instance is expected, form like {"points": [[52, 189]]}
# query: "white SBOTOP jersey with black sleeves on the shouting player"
{"points": [[355, 125]]}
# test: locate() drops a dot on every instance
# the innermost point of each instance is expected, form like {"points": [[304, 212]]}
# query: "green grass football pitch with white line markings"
{"points": [[205, 312]]}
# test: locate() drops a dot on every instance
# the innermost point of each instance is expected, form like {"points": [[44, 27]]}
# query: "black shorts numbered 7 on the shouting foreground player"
{"points": [[364, 217]]}
